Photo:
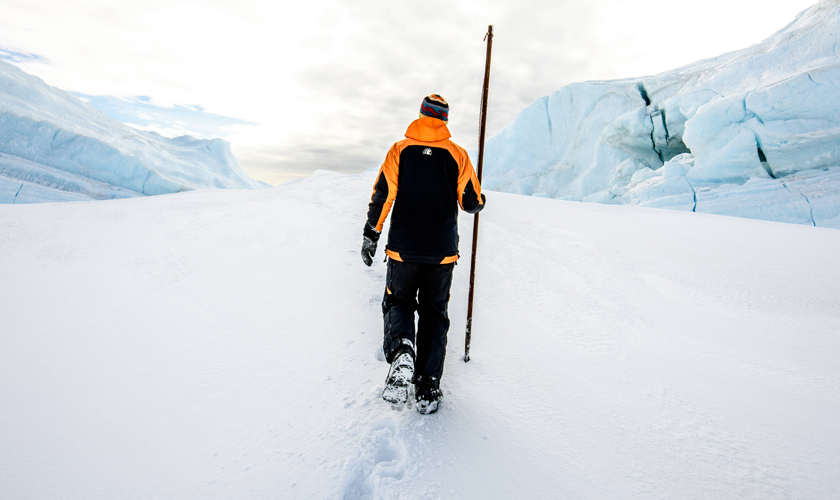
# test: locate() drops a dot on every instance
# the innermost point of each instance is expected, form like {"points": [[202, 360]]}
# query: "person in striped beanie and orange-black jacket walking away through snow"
{"points": [[424, 177]]}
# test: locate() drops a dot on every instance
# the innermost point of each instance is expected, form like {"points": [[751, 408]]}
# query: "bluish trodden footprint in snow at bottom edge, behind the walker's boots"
{"points": [[381, 462]]}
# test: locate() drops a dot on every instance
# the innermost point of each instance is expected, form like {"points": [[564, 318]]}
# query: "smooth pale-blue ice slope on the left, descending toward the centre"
{"points": [[56, 147]]}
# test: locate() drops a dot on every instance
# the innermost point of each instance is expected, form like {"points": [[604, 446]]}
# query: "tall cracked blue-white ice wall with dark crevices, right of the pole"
{"points": [[752, 133]]}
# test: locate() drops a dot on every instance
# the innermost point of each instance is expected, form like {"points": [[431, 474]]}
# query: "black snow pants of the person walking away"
{"points": [[423, 288]]}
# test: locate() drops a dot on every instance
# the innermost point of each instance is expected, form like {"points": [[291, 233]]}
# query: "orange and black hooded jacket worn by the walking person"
{"points": [[424, 179]]}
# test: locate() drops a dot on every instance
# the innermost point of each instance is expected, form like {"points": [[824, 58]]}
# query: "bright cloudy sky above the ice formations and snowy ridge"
{"points": [[300, 86]]}
